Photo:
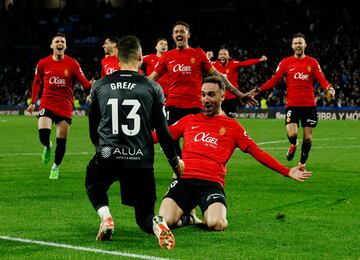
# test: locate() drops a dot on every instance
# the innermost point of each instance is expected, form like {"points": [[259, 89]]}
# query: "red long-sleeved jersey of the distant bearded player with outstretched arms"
{"points": [[231, 72]]}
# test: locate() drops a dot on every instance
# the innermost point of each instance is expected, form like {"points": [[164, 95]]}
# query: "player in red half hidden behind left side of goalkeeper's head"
{"points": [[110, 62]]}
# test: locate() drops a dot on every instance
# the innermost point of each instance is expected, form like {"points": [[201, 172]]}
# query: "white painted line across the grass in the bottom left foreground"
{"points": [[80, 248]]}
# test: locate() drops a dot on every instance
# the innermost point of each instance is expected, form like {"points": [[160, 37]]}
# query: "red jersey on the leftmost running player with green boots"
{"points": [[57, 78]]}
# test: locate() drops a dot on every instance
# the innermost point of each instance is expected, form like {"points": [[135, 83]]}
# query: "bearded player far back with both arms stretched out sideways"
{"points": [[230, 68]]}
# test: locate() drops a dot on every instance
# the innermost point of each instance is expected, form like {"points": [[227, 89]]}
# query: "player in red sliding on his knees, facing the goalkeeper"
{"points": [[210, 138]]}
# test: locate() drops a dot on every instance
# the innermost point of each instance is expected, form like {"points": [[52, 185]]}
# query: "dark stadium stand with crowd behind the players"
{"points": [[332, 34]]}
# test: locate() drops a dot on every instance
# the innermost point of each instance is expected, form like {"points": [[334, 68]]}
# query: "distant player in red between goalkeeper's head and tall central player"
{"points": [[150, 61]]}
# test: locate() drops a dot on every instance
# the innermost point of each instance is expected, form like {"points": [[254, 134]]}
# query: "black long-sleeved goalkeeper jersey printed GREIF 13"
{"points": [[125, 108]]}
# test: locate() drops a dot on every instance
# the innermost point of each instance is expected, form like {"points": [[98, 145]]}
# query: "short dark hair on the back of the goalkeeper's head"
{"points": [[129, 47]]}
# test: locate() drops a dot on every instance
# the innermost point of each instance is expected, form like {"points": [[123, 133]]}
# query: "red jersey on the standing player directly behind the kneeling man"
{"points": [[185, 69]]}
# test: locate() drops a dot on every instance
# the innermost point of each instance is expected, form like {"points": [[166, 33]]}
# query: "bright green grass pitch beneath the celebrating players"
{"points": [[269, 216]]}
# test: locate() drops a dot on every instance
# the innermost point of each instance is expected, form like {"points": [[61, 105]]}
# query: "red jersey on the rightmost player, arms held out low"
{"points": [[300, 75]]}
